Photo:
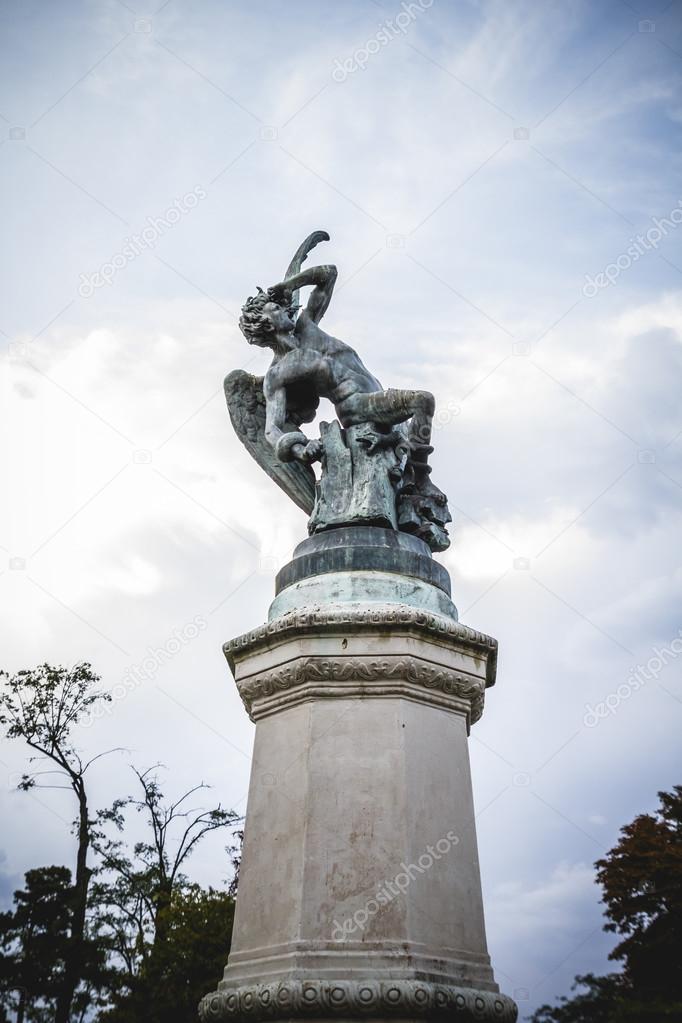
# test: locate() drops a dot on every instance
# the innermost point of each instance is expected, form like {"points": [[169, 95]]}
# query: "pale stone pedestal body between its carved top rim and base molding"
{"points": [[348, 786]]}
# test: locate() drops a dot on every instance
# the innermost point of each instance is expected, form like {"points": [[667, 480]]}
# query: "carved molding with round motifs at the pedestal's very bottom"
{"points": [[407, 999]]}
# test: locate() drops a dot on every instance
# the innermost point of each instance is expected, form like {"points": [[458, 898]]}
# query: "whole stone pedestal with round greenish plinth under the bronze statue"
{"points": [[359, 892]]}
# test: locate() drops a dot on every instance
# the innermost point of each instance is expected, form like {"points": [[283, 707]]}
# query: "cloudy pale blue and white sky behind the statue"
{"points": [[502, 184]]}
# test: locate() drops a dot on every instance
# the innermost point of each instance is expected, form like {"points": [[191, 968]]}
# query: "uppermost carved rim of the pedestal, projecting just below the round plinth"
{"points": [[340, 618]]}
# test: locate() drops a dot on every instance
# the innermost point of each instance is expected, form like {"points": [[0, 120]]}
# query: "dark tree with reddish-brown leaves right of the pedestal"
{"points": [[642, 880]]}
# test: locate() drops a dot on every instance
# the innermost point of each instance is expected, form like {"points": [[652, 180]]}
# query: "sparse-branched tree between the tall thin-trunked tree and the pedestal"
{"points": [[145, 901]]}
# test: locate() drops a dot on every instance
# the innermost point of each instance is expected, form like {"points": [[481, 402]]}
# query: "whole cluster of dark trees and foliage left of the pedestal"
{"points": [[128, 938]]}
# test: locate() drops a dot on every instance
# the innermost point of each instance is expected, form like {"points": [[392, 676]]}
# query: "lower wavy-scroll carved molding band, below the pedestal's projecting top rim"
{"points": [[397, 670]]}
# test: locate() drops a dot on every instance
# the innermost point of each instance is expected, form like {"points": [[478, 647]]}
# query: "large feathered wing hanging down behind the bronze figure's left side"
{"points": [[246, 403]]}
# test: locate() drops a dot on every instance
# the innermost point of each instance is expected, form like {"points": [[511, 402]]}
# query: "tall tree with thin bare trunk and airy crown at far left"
{"points": [[41, 707]]}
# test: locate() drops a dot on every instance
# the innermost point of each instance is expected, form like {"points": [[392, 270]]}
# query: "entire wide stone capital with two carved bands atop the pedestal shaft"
{"points": [[372, 651]]}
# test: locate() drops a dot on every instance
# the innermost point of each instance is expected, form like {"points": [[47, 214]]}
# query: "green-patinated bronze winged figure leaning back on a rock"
{"points": [[375, 458]]}
